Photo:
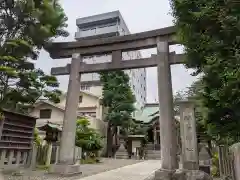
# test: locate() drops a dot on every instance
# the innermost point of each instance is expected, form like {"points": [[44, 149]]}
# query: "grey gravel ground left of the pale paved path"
{"points": [[87, 170]]}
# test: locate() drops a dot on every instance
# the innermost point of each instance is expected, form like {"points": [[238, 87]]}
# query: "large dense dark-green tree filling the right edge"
{"points": [[209, 30]]}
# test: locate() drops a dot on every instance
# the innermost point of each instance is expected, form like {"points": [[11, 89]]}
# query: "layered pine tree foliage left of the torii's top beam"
{"points": [[26, 25]]}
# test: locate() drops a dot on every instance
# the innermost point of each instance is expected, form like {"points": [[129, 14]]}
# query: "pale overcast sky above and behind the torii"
{"points": [[139, 15]]}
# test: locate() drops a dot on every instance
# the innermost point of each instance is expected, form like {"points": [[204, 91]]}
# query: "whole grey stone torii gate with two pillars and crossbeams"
{"points": [[161, 39]]}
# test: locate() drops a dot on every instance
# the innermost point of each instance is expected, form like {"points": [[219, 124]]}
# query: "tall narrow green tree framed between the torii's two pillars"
{"points": [[119, 101]]}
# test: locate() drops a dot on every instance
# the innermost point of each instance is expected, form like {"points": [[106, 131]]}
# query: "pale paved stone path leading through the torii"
{"points": [[140, 171]]}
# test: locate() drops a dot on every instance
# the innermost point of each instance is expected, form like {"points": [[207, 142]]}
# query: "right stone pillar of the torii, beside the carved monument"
{"points": [[167, 122]]}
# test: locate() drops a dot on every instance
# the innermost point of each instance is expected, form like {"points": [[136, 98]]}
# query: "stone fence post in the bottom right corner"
{"points": [[235, 150]]}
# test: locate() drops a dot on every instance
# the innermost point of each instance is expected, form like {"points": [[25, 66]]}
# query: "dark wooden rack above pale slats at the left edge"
{"points": [[16, 139]]}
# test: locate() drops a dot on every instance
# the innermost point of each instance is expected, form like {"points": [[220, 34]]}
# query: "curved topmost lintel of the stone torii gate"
{"points": [[137, 41]]}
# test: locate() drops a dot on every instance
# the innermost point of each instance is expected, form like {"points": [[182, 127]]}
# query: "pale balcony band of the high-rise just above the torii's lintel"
{"points": [[98, 33]]}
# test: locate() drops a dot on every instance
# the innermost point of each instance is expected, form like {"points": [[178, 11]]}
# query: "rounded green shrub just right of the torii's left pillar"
{"points": [[86, 137]]}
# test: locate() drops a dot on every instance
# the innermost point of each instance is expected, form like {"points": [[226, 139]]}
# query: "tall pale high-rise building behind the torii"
{"points": [[108, 25]]}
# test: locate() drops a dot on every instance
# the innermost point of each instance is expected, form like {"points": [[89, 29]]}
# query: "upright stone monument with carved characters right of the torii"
{"points": [[190, 157]]}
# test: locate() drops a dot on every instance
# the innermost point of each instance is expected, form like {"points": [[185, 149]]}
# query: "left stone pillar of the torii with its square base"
{"points": [[66, 163]]}
